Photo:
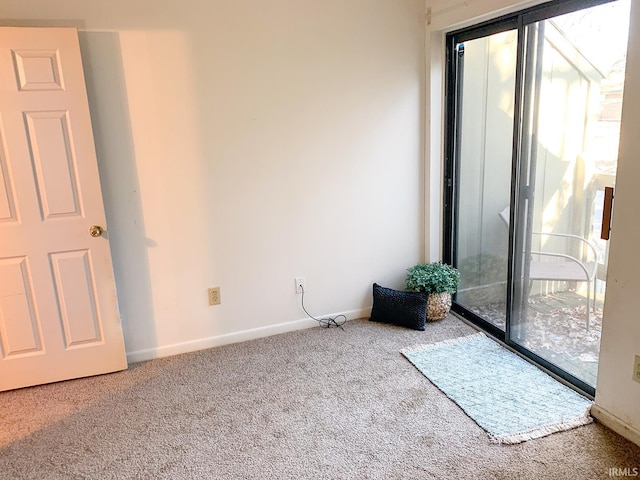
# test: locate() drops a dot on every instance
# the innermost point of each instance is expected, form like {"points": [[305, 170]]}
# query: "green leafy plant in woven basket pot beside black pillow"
{"points": [[437, 279]]}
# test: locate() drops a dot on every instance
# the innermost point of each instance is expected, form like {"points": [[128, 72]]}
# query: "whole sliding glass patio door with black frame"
{"points": [[533, 111]]}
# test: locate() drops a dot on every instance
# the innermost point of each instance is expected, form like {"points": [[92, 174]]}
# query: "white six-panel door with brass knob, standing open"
{"points": [[58, 307]]}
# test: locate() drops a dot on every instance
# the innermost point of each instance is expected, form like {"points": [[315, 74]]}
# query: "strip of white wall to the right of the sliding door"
{"points": [[617, 394]]}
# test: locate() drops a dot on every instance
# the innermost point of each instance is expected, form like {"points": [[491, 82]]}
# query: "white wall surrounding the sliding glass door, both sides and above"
{"points": [[617, 395]]}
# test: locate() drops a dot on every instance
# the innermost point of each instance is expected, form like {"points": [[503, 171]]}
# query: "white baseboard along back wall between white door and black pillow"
{"points": [[235, 337]]}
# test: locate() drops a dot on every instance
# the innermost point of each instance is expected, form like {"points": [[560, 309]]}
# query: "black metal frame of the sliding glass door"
{"points": [[513, 21]]}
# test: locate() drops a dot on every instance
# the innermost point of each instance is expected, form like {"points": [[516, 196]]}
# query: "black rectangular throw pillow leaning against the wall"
{"points": [[405, 309]]}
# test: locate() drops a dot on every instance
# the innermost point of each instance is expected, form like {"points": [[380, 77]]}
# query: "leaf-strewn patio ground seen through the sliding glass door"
{"points": [[556, 329]]}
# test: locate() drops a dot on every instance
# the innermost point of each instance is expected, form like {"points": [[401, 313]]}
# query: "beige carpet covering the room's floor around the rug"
{"points": [[313, 404]]}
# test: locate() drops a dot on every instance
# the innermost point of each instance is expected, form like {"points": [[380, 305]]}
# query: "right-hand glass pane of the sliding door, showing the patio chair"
{"points": [[560, 291]]}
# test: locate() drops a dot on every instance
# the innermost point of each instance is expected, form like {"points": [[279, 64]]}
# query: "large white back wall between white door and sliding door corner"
{"points": [[245, 143]]}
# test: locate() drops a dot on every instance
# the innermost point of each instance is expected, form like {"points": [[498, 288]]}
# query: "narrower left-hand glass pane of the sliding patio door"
{"points": [[485, 125]]}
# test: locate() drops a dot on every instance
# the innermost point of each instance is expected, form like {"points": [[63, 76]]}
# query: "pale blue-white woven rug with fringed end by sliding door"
{"points": [[511, 399]]}
